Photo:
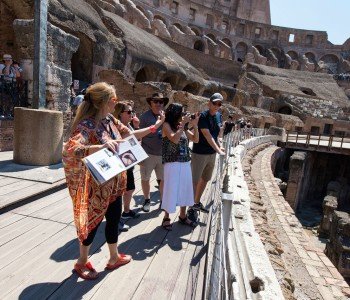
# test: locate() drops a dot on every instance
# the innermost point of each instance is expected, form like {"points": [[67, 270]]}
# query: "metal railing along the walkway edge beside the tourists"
{"points": [[218, 279]]}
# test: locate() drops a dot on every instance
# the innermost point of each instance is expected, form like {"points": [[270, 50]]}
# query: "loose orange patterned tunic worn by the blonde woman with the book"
{"points": [[90, 201]]}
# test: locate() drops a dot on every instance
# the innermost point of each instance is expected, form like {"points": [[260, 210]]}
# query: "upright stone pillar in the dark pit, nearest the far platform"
{"points": [[295, 191]]}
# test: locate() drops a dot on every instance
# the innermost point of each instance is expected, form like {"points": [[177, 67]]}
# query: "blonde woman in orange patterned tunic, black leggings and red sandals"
{"points": [[94, 128]]}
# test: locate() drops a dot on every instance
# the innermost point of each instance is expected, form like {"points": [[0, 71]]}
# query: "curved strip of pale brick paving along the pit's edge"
{"points": [[326, 278]]}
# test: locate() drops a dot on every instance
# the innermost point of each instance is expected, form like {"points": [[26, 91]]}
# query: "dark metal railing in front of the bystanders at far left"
{"points": [[13, 93]]}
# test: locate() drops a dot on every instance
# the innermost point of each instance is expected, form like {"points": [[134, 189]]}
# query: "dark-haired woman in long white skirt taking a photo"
{"points": [[178, 187]]}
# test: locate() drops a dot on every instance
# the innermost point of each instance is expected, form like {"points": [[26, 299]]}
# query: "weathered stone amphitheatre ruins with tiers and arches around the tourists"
{"points": [[293, 81]]}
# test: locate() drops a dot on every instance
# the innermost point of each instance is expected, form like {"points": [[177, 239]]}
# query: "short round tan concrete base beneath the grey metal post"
{"points": [[38, 137]]}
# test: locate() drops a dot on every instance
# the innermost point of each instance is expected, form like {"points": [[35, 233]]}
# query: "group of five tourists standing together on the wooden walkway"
{"points": [[103, 121]]}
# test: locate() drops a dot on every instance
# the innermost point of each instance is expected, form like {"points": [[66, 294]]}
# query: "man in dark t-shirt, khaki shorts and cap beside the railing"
{"points": [[204, 152]]}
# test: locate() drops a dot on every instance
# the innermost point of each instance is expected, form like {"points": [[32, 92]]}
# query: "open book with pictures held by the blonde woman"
{"points": [[104, 164]]}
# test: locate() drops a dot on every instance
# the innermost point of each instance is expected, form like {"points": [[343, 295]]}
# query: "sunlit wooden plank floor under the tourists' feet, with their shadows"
{"points": [[38, 248]]}
